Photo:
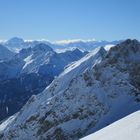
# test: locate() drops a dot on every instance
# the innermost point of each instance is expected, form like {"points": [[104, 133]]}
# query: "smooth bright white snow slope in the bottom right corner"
{"points": [[127, 128]]}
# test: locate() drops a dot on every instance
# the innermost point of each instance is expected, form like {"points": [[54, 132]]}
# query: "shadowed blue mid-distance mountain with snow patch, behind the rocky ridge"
{"points": [[28, 73]]}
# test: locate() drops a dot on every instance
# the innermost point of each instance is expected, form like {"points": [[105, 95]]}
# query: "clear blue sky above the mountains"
{"points": [[70, 19]]}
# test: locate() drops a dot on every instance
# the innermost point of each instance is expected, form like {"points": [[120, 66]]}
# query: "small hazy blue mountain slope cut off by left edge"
{"points": [[5, 54]]}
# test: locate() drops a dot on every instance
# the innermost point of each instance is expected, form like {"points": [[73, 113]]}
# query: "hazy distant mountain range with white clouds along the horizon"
{"points": [[15, 44]]}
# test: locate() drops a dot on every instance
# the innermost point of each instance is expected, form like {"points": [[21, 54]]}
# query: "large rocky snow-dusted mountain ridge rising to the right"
{"points": [[91, 93]]}
